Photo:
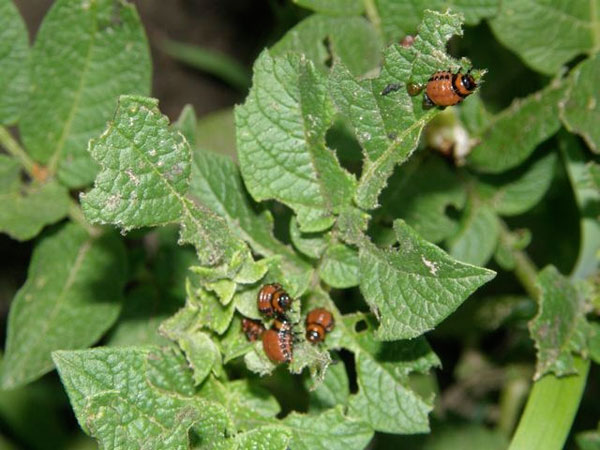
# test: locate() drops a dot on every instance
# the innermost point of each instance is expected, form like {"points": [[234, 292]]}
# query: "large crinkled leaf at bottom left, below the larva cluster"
{"points": [[137, 397]]}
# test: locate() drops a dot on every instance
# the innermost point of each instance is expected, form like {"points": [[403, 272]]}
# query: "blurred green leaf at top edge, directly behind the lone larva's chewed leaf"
{"points": [[399, 18]]}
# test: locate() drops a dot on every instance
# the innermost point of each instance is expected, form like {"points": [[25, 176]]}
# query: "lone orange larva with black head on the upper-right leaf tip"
{"points": [[446, 89]]}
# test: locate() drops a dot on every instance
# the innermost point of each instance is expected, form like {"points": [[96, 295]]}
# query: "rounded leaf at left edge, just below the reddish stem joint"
{"points": [[26, 208]]}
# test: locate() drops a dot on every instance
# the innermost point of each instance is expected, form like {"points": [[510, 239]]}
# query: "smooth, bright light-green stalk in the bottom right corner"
{"points": [[550, 410]]}
